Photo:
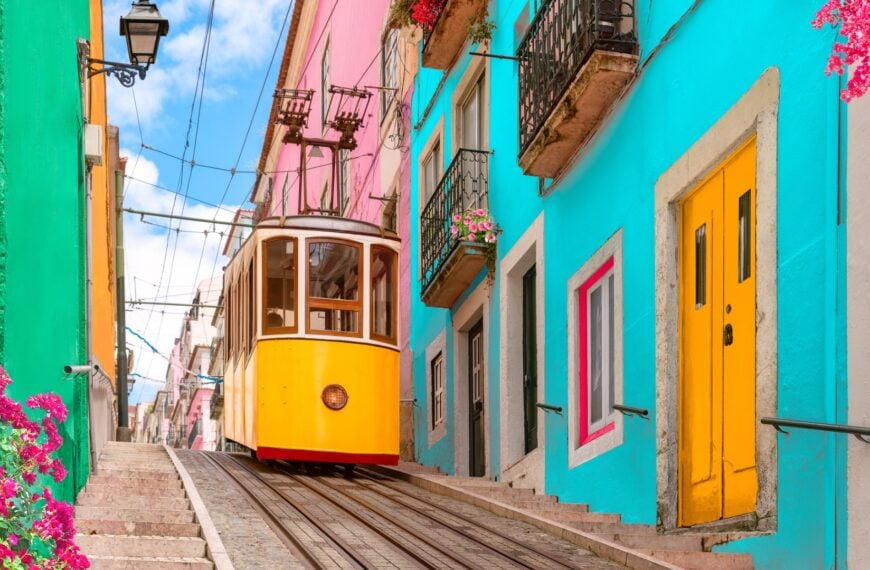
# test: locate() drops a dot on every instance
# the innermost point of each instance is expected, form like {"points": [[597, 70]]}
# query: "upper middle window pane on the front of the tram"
{"points": [[333, 271]]}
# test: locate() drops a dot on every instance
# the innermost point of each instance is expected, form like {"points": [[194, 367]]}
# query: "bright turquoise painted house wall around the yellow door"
{"points": [[699, 69]]}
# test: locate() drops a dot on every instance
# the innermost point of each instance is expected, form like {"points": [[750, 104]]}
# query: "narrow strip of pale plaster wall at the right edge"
{"points": [[858, 302]]}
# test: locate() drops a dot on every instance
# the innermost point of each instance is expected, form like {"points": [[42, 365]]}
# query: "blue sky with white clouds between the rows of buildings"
{"points": [[174, 112]]}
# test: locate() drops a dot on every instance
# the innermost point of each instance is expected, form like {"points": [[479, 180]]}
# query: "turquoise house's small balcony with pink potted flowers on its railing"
{"points": [[449, 265]]}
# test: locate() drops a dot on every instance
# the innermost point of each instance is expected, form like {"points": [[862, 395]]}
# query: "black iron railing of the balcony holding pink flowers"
{"points": [[464, 186]]}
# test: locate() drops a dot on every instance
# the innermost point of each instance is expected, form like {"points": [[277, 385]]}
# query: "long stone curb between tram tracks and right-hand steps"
{"points": [[595, 544]]}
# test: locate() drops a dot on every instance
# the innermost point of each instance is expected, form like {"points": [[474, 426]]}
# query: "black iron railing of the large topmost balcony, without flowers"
{"points": [[560, 39]]}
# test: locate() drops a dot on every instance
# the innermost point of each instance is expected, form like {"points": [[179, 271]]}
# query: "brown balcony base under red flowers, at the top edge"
{"points": [[448, 35]]}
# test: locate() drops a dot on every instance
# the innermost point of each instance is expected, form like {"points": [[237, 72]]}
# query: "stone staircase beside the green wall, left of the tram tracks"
{"points": [[135, 513]]}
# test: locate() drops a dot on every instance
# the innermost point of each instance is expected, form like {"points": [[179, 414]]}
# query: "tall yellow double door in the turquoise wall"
{"points": [[717, 476]]}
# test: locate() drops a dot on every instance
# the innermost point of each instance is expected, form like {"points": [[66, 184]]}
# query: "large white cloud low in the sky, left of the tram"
{"points": [[197, 258]]}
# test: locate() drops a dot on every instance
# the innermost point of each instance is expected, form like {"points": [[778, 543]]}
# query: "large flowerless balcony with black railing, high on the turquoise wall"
{"points": [[576, 58]]}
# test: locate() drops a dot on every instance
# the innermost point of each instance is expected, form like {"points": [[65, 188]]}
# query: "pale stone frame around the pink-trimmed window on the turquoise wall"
{"points": [[580, 453]]}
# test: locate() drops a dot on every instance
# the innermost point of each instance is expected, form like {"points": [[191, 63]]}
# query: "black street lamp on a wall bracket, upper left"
{"points": [[142, 27]]}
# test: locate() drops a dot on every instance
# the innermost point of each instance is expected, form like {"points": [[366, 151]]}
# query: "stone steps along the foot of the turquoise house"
{"points": [[687, 550]]}
